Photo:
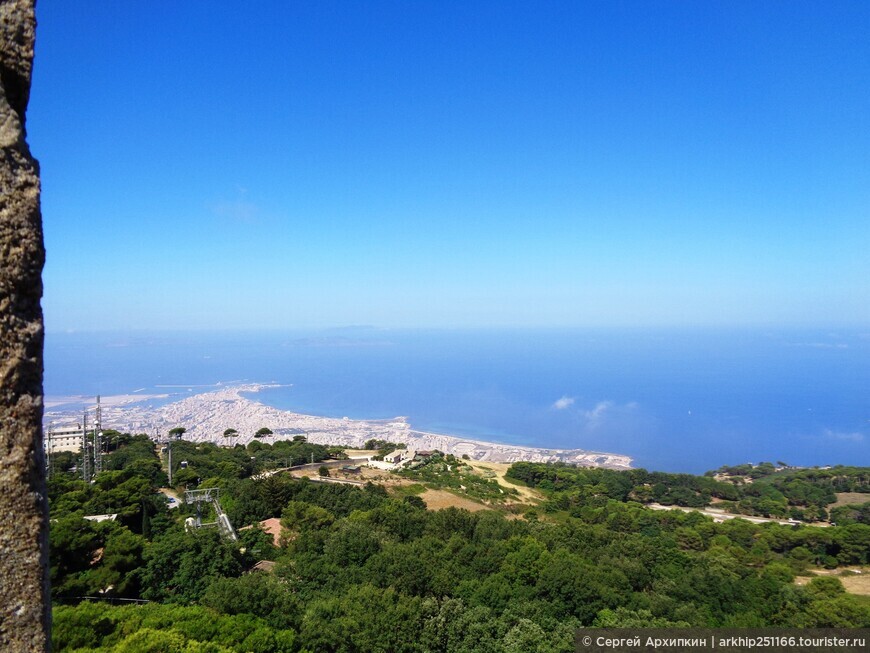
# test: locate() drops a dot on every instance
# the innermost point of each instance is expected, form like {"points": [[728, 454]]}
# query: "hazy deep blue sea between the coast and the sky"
{"points": [[674, 400]]}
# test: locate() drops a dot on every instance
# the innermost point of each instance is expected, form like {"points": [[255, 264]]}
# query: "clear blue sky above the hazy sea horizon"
{"points": [[298, 164]]}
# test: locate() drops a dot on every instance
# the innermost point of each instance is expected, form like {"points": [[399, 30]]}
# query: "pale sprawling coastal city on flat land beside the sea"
{"points": [[206, 415]]}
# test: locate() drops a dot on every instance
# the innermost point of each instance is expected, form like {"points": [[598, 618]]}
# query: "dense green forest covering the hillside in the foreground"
{"points": [[361, 568]]}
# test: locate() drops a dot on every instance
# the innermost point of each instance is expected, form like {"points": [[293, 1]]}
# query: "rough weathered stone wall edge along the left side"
{"points": [[24, 608]]}
